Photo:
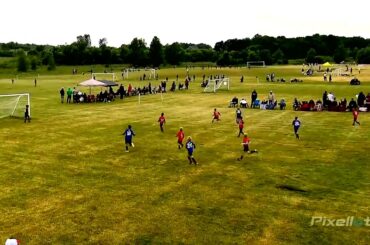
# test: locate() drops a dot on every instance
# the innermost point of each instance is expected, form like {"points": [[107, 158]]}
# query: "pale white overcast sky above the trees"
{"points": [[59, 22]]}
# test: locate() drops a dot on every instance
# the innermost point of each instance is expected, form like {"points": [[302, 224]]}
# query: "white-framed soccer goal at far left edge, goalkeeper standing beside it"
{"points": [[14, 105]]}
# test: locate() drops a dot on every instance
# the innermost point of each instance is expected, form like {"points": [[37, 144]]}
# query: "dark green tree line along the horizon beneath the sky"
{"points": [[273, 50]]}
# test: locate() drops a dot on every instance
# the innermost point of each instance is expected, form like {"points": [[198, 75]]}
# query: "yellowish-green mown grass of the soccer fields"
{"points": [[65, 178]]}
